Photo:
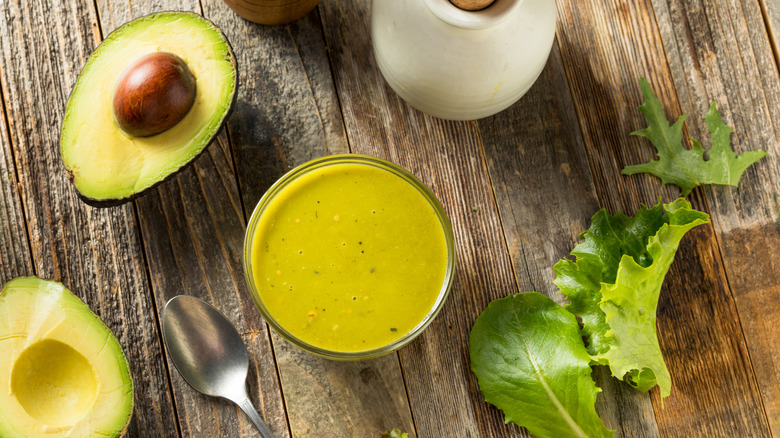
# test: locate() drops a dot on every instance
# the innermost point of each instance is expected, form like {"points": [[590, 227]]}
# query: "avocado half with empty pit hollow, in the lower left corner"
{"points": [[62, 371]]}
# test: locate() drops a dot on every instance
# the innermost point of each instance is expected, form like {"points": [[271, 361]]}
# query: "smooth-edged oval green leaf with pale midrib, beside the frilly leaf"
{"points": [[529, 359]]}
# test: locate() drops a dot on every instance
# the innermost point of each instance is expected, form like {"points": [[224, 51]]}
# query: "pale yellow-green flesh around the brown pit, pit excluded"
{"points": [[108, 164]]}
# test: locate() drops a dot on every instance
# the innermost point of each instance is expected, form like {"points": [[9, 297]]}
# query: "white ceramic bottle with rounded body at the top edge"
{"points": [[458, 64]]}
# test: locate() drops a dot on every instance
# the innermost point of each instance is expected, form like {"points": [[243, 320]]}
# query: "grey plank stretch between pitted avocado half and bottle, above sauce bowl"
{"points": [[286, 112]]}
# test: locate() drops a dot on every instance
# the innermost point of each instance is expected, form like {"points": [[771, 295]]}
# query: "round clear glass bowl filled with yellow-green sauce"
{"points": [[299, 187]]}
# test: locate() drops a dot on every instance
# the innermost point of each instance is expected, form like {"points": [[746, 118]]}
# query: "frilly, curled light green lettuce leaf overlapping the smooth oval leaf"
{"points": [[615, 284]]}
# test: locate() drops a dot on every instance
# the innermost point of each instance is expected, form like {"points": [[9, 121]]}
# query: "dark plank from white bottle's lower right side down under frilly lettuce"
{"points": [[545, 196]]}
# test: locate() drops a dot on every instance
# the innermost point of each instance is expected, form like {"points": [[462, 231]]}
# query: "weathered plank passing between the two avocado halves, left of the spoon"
{"points": [[96, 253]]}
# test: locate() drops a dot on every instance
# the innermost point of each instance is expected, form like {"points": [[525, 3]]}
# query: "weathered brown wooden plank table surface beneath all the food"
{"points": [[519, 187]]}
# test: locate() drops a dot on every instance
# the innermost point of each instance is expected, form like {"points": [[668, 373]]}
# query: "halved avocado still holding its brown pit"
{"points": [[111, 160]]}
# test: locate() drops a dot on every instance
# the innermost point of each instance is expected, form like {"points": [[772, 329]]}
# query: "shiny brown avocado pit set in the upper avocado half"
{"points": [[153, 94]]}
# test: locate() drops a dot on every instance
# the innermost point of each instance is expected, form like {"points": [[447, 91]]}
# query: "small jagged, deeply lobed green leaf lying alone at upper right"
{"points": [[686, 168]]}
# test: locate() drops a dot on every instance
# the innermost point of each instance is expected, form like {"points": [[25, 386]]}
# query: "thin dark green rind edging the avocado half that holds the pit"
{"points": [[113, 202]]}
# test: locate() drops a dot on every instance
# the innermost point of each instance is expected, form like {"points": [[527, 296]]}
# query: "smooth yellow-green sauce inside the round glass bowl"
{"points": [[349, 257]]}
